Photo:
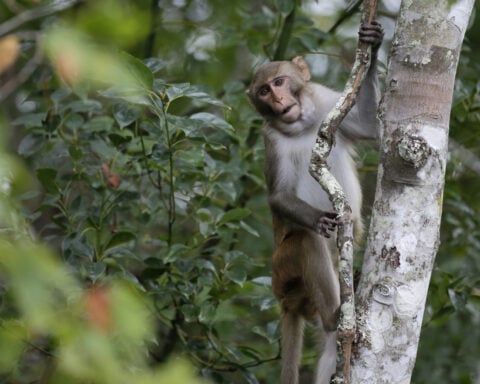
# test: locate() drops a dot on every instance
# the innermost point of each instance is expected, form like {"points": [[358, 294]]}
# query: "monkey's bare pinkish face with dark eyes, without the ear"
{"points": [[279, 96]]}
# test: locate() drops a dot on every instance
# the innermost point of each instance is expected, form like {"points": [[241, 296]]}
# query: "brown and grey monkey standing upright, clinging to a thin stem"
{"points": [[304, 276]]}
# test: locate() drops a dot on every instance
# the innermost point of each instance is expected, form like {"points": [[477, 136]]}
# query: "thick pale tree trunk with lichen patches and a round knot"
{"points": [[404, 232]]}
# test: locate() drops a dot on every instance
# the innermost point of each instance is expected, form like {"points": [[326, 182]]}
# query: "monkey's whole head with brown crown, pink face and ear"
{"points": [[276, 88]]}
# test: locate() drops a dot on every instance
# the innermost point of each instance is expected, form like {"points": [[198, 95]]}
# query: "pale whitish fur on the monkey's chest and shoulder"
{"points": [[293, 143]]}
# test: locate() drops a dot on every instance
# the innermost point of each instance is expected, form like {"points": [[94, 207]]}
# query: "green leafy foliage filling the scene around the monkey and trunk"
{"points": [[135, 235]]}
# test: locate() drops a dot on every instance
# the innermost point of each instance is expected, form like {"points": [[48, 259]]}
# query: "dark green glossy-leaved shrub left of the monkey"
{"points": [[133, 191]]}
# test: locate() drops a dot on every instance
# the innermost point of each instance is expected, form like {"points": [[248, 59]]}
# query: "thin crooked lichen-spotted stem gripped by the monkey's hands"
{"points": [[319, 170]]}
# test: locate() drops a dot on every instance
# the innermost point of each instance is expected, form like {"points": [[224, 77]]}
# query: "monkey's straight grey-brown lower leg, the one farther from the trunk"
{"points": [[292, 341]]}
